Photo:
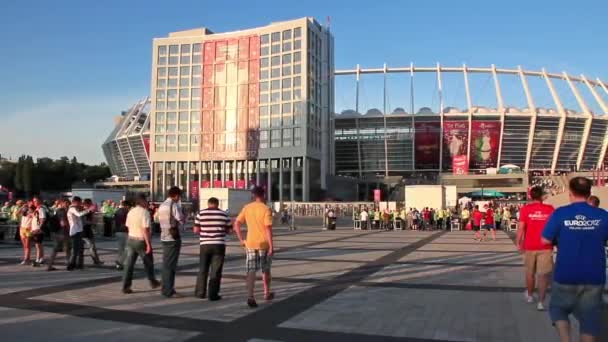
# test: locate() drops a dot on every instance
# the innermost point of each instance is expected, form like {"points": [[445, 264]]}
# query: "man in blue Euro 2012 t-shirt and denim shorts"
{"points": [[580, 232]]}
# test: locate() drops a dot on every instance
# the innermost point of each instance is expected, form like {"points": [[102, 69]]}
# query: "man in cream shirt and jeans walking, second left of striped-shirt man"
{"points": [[139, 244]]}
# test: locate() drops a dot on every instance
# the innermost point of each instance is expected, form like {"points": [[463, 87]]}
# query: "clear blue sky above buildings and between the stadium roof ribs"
{"points": [[68, 67]]}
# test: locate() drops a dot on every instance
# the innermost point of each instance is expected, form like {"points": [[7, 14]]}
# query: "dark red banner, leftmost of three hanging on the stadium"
{"points": [[426, 138]]}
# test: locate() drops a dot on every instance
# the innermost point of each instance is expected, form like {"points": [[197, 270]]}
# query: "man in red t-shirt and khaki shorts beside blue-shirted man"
{"points": [[538, 257]]}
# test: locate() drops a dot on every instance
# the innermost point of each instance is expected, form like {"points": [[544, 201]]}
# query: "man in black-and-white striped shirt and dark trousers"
{"points": [[212, 225]]}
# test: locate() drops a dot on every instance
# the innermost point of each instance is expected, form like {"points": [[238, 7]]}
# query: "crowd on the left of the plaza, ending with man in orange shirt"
{"points": [[131, 224]]}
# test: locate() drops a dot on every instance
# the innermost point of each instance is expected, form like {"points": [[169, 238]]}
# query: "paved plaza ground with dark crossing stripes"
{"points": [[341, 285]]}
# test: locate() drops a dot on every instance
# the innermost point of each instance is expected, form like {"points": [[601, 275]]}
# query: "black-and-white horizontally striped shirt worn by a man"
{"points": [[213, 224]]}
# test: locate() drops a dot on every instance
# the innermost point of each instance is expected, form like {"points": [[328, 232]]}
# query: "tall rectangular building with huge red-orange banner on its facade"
{"points": [[241, 108]]}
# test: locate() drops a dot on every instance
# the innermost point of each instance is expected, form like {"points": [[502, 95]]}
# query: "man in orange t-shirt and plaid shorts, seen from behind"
{"points": [[259, 244]]}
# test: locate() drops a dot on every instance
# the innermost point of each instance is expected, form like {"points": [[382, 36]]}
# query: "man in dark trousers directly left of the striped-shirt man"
{"points": [[170, 217]]}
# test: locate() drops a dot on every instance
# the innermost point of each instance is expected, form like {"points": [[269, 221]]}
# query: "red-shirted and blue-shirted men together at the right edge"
{"points": [[578, 233]]}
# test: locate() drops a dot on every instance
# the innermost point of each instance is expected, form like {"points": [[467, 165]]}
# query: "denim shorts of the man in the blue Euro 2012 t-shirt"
{"points": [[583, 301]]}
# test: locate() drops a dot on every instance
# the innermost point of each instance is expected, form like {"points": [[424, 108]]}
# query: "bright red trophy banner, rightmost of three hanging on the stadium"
{"points": [[485, 137]]}
